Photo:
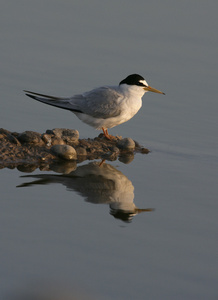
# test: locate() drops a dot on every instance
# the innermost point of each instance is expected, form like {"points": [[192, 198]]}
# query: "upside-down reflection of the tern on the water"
{"points": [[97, 183]]}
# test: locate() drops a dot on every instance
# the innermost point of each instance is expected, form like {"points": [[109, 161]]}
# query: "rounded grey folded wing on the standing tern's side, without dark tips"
{"points": [[101, 103]]}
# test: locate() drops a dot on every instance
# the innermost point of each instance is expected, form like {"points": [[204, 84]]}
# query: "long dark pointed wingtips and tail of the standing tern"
{"points": [[65, 103]]}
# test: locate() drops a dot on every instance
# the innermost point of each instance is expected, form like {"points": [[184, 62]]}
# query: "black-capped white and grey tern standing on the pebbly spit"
{"points": [[106, 106]]}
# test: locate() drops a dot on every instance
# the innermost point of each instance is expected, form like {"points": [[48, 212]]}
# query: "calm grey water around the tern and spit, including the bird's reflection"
{"points": [[55, 228]]}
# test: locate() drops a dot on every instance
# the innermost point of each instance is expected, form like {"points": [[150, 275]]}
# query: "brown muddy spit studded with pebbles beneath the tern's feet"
{"points": [[59, 144]]}
